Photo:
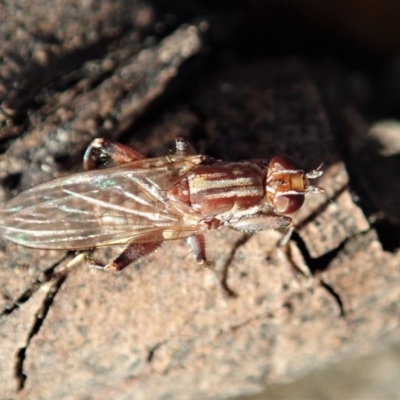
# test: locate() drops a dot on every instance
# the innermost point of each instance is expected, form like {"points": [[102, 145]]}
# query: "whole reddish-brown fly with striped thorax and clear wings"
{"points": [[141, 202]]}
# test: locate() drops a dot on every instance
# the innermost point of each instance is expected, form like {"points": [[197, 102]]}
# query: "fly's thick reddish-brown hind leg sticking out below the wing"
{"points": [[132, 253]]}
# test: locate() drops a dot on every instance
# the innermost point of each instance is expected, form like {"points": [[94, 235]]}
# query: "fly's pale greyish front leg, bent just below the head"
{"points": [[262, 222]]}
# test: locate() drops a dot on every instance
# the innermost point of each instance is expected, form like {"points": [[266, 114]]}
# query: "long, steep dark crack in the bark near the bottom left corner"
{"points": [[40, 317]]}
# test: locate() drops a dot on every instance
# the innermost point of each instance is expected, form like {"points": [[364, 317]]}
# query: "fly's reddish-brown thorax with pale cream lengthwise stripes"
{"points": [[221, 188]]}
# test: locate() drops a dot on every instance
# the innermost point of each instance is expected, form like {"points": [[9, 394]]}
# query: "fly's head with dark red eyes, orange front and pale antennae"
{"points": [[287, 185]]}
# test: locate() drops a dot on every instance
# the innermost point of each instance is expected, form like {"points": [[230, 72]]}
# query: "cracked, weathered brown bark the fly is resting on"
{"points": [[166, 327]]}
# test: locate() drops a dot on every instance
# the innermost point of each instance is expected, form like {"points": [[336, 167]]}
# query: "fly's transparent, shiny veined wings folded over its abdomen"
{"points": [[100, 207]]}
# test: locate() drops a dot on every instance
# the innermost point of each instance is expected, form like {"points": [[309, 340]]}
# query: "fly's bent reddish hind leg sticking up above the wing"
{"points": [[105, 152]]}
